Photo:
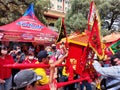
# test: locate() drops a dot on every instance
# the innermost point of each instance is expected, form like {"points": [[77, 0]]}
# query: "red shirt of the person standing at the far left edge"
{"points": [[5, 72]]}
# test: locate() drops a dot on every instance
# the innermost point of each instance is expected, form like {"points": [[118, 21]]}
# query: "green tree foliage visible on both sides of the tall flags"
{"points": [[76, 17]]}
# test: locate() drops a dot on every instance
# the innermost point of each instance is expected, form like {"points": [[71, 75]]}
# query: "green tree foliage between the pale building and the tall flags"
{"points": [[76, 17]]}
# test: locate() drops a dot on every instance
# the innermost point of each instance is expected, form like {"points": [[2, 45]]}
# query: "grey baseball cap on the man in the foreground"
{"points": [[25, 77]]}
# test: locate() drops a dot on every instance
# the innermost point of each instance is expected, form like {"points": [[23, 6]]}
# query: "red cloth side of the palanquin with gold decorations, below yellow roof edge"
{"points": [[73, 60]]}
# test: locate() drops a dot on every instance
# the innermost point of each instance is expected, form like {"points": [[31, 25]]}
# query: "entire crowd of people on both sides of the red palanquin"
{"points": [[28, 79]]}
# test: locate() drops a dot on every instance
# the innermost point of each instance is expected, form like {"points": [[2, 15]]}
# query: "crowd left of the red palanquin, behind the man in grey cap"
{"points": [[50, 55]]}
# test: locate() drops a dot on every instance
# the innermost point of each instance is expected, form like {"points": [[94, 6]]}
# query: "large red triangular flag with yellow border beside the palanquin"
{"points": [[95, 40]]}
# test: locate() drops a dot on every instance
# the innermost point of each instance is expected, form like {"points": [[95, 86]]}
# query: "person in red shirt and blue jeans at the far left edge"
{"points": [[5, 73]]}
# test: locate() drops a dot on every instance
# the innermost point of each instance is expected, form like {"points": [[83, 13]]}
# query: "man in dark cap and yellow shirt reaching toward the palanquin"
{"points": [[43, 58]]}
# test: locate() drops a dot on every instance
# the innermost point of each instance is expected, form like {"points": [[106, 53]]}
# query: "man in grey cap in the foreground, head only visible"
{"points": [[26, 80]]}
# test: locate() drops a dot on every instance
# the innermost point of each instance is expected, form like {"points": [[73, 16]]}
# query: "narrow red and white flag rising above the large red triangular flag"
{"points": [[92, 13]]}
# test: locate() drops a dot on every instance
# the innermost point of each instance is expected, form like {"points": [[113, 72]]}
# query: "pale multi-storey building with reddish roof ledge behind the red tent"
{"points": [[58, 8]]}
